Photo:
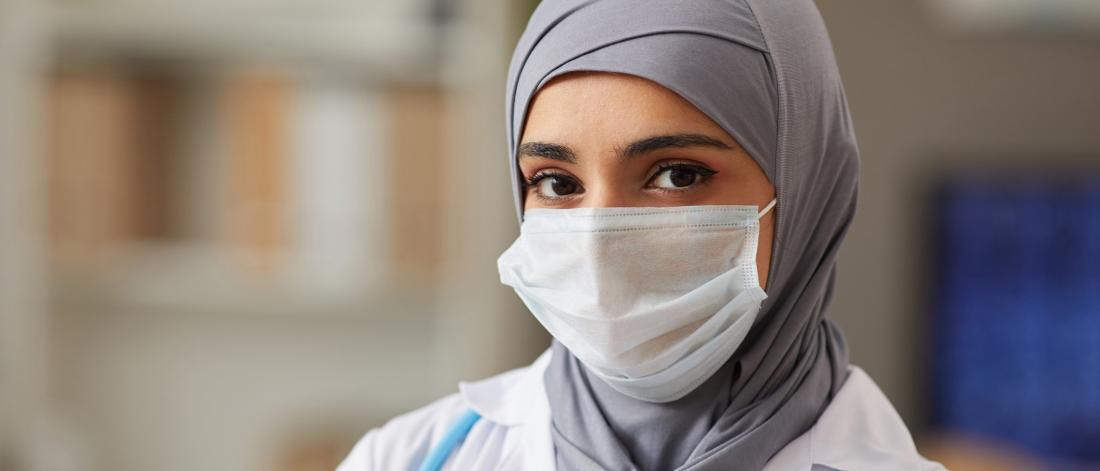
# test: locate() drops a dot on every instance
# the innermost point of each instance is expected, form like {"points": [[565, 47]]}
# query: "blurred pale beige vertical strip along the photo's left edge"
{"points": [[24, 419]]}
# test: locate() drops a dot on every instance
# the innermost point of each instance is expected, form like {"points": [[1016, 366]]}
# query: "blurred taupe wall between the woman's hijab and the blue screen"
{"points": [[925, 102]]}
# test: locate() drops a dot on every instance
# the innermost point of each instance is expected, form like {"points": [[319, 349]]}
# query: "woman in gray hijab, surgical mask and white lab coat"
{"points": [[670, 161]]}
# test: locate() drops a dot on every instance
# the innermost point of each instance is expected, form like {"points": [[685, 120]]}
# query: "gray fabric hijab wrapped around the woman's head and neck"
{"points": [[765, 72]]}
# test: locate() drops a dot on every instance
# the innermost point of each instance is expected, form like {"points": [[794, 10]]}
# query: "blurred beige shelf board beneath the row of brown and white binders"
{"points": [[207, 282]]}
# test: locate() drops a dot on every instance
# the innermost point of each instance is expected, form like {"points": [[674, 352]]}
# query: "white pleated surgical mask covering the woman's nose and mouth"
{"points": [[653, 301]]}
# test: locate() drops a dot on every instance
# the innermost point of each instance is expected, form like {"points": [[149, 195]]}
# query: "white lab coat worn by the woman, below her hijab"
{"points": [[860, 431]]}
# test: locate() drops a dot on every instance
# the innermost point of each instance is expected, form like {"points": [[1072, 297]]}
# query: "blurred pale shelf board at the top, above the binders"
{"points": [[316, 35]]}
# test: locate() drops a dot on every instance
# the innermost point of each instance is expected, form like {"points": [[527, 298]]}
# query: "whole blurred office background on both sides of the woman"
{"points": [[236, 235]]}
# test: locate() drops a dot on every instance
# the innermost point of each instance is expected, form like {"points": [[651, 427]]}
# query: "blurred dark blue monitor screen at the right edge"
{"points": [[1016, 341]]}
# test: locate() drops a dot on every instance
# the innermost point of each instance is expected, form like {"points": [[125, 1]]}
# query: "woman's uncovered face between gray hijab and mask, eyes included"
{"points": [[612, 140]]}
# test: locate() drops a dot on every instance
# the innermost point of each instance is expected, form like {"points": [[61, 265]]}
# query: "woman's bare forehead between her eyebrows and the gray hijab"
{"points": [[589, 108]]}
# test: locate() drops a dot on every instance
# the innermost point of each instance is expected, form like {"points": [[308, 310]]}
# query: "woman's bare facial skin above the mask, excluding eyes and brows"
{"points": [[580, 111]]}
